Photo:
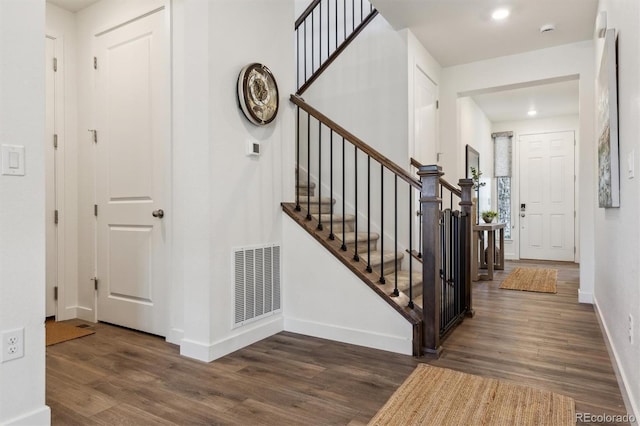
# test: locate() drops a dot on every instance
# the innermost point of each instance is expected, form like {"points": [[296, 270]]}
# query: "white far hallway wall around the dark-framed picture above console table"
{"points": [[475, 130]]}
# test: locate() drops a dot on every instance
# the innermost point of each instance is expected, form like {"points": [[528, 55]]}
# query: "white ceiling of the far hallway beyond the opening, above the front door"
{"points": [[549, 100]]}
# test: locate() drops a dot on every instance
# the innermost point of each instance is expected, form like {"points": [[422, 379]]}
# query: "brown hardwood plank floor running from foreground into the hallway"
{"points": [[117, 376]]}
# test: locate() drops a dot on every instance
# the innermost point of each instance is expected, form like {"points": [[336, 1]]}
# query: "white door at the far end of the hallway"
{"points": [[547, 190]]}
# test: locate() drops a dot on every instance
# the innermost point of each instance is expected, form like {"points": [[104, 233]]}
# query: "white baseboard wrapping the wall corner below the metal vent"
{"points": [[242, 337]]}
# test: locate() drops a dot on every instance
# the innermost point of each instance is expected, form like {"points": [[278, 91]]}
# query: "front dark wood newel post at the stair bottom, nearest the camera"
{"points": [[431, 263]]}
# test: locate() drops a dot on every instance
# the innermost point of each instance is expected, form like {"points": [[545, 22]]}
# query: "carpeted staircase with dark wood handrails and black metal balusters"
{"points": [[382, 222]]}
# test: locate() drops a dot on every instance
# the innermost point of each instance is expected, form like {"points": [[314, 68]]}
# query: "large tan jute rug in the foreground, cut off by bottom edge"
{"points": [[439, 396]]}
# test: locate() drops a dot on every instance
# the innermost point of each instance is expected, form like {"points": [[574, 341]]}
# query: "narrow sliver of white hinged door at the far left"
{"points": [[51, 231]]}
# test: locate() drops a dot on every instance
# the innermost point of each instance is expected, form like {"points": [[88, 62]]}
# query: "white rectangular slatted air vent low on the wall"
{"points": [[257, 282]]}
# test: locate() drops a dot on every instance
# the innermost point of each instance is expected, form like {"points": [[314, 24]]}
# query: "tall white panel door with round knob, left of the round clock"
{"points": [[132, 83]]}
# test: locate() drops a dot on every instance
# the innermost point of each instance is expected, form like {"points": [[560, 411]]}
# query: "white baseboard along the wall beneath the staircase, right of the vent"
{"points": [[352, 336]]}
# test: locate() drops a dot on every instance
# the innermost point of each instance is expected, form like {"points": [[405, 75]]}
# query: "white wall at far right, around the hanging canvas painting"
{"points": [[617, 292]]}
